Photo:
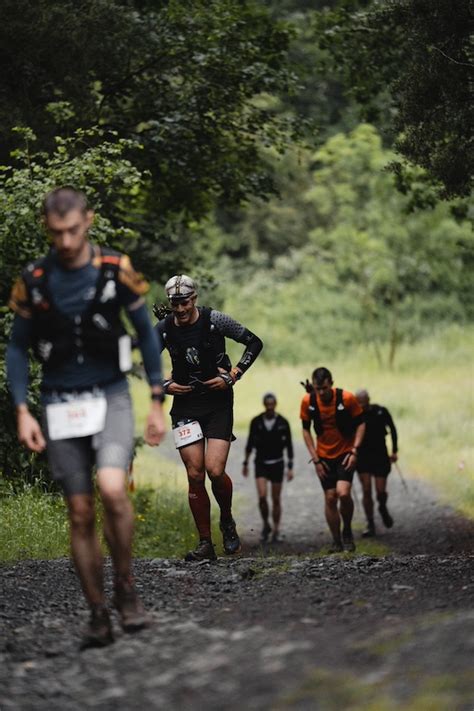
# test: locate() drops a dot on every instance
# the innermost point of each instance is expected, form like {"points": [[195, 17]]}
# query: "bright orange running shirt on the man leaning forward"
{"points": [[331, 443]]}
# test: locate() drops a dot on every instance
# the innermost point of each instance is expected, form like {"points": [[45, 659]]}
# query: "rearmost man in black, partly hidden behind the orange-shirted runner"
{"points": [[374, 461]]}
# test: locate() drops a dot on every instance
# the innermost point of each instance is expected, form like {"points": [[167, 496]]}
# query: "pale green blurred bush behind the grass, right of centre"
{"points": [[342, 259]]}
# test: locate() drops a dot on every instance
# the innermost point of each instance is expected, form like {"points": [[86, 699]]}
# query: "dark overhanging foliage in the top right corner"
{"points": [[415, 54]]}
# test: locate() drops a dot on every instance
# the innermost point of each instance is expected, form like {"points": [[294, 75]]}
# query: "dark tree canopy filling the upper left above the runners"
{"points": [[181, 78]]}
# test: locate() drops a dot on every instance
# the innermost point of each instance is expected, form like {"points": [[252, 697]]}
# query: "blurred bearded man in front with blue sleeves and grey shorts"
{"points": [[67, 308]]}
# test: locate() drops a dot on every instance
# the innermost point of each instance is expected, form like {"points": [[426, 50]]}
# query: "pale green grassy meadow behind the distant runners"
{"points": [[429, 393]]}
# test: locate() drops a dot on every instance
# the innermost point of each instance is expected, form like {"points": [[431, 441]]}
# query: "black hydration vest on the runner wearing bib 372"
{"points": [[201, 358]]}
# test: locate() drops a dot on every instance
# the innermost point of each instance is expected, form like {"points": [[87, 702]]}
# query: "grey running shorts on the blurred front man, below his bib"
{"points": [[71, 461]]}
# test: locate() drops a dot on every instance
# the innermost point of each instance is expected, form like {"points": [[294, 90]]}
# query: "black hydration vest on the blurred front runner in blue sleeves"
{"points": [[58, 337]]}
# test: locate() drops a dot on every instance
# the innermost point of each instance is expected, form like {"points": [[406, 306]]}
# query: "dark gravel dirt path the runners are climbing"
{"points": [[277, 628]]}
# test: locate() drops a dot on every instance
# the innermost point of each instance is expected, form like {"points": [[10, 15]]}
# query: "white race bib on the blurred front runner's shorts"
{"points": [[76, 418]]}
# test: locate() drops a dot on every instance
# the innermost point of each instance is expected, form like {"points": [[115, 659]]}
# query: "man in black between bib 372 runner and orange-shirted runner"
{"points": [[269, 435]]}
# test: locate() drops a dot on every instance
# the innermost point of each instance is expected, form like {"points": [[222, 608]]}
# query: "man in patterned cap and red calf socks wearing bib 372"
{"points": [[202, 414]]}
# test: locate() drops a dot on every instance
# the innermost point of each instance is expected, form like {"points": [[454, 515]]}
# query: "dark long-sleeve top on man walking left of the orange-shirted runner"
{"points": [[269, 443]]}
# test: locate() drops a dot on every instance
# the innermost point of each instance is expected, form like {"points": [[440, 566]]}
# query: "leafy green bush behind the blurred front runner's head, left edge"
{"points": [[94, 161]]}
